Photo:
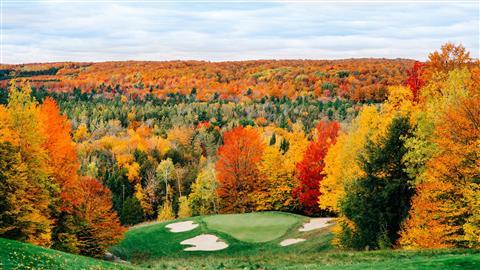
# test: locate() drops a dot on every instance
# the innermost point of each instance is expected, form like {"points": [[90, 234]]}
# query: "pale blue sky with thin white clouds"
{"points": [[223, 30]]}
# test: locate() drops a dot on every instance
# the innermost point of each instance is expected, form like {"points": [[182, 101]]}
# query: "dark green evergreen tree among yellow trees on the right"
{"points": [[378, 203]]}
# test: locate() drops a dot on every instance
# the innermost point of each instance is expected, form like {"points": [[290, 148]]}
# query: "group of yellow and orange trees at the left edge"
{"points": [[44, 200]]}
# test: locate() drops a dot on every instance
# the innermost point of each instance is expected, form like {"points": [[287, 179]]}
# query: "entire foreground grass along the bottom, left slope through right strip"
{"points": [[16, 255]]}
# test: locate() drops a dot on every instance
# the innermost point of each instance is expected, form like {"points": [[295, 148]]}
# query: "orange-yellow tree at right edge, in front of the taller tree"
{"points": [[447, 202]]}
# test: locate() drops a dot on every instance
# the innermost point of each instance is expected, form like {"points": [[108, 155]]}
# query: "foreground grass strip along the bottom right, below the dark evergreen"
{"points": [[333, 260]]}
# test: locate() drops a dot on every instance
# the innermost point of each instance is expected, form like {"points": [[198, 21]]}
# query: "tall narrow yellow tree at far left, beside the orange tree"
{"points": [[23, 121]]}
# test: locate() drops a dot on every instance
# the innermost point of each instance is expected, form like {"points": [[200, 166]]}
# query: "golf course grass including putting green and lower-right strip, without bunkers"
{"points": [[154, 246]]}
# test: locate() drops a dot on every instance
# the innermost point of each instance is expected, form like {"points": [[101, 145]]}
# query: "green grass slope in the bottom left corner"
{"points": [[17, 255]]}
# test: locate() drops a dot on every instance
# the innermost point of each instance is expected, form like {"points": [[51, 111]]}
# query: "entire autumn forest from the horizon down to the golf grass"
{"points": [[390, 147]]}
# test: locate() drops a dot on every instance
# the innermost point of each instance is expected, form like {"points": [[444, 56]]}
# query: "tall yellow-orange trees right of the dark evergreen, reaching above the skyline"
{"points": [[446, 152]]}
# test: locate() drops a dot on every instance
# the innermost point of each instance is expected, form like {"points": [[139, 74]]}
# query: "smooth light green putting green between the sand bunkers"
{"points": [[253, 227]]}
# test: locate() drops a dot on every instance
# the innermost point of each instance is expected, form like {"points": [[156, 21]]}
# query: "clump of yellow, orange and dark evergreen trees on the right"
{"points": [[439, 160]]}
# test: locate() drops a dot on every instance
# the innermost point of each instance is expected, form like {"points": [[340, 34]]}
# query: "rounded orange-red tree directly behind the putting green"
{"points": [[237, 169]]}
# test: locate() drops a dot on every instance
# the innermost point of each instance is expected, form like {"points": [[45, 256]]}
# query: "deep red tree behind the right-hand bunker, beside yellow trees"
{"points": [[310, 169]]}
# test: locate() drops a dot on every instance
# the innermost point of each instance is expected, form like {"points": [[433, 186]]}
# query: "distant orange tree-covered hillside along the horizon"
{"points": [[356, 79]]}
